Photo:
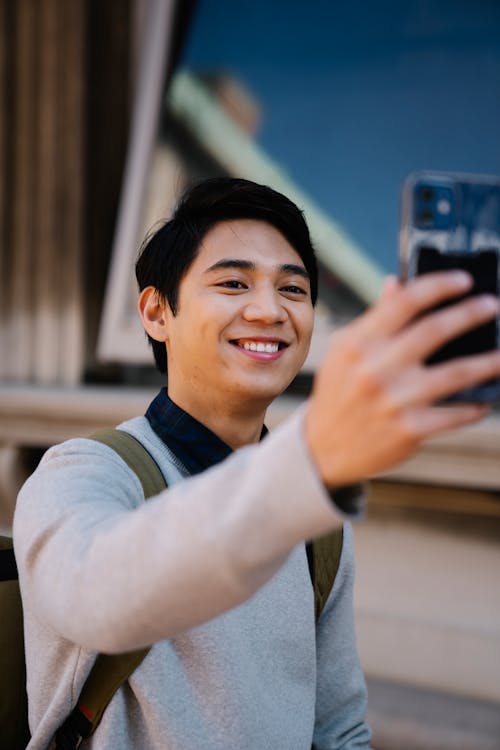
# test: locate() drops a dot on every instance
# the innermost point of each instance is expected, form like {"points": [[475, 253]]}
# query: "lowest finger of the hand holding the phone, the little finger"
{"points": [[432, 421]]}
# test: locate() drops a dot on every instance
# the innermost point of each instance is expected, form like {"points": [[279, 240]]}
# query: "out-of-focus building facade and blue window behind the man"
{"points": [[108, 110]]}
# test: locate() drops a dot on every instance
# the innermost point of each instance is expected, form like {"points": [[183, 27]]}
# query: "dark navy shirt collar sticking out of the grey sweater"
{"points": [[193, 444]]}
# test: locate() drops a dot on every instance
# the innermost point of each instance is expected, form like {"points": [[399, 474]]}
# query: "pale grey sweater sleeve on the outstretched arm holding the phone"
{"points": [[111, 573]]}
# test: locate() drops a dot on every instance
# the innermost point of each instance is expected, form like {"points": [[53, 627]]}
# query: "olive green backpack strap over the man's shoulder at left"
{"points": [[110, 671]]}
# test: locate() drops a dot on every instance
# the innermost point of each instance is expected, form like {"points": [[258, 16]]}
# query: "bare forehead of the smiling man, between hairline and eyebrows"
{"points": [[246, 239]]}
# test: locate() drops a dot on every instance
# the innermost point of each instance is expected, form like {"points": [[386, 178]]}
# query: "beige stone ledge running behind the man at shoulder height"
{"points": [[35, 415]]}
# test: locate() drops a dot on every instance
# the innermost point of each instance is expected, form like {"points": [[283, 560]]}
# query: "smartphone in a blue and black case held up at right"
{"points": [[451, 221]]}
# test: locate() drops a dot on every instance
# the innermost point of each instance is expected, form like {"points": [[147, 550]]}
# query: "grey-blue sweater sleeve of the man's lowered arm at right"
{"points": [[341, 700]]}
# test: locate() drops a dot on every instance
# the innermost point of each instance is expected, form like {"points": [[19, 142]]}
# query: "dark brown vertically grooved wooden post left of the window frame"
{"points": [[64, 88]]}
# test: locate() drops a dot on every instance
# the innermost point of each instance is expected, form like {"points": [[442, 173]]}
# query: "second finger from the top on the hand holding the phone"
{"points": [[429, 333]]}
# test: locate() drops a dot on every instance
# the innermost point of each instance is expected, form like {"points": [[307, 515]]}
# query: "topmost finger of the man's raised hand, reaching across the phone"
{"points": [[395, 311]]}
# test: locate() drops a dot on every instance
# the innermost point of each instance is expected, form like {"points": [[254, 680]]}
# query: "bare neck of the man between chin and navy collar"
{"points": [[236, 426]]}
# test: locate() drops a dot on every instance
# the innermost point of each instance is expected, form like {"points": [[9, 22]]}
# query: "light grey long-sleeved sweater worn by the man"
{"points": [[213, 572]]}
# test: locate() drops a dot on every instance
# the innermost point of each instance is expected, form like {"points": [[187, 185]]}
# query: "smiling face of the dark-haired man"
{"points": [[244, 319]]}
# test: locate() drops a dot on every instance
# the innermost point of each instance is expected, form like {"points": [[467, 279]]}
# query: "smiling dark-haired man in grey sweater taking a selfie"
{"points": [[213, 572]]}
